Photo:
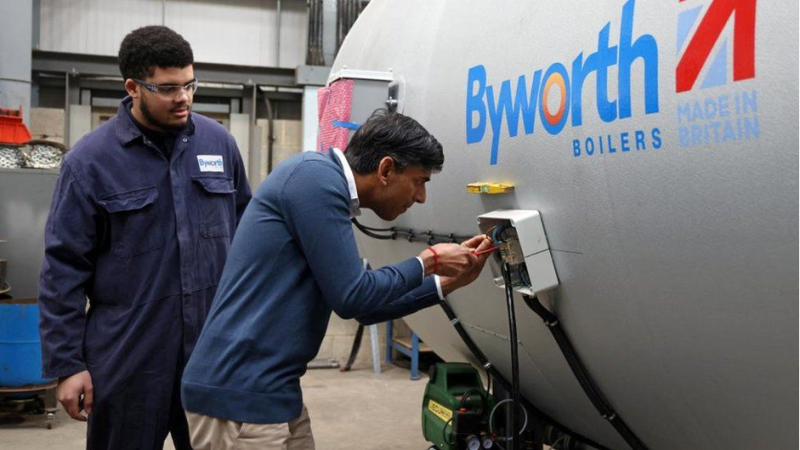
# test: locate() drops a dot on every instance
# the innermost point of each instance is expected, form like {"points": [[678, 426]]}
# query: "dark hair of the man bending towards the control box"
{"points": [[392, 134]]}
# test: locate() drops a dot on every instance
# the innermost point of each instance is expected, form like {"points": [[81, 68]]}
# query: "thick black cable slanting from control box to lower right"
{"points": [[582, 375]]}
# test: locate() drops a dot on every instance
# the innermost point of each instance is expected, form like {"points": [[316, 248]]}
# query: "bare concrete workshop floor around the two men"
{"points": [[353, 410]]}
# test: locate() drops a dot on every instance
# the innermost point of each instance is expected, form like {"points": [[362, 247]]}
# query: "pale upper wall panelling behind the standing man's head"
{"points": [[240, 32]]}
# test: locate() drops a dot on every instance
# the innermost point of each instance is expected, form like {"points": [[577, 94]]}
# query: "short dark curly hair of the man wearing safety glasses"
{"points": [[146, 48]]}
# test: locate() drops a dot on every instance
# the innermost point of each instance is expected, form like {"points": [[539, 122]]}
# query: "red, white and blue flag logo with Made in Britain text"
{"points": [[721, 47]]}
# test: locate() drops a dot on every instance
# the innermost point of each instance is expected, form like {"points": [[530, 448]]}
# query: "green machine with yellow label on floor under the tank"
{"points": [[455, 409]]}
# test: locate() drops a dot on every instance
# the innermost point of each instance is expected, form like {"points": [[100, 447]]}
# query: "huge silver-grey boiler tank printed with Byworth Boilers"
{"points": [[659, 142]]}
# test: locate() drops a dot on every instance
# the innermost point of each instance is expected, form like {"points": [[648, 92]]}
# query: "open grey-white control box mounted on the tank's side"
{"points": [[524, 248]]}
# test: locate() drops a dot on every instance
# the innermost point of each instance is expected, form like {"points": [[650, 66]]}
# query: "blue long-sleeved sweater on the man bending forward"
{"points": [[293, 261]]}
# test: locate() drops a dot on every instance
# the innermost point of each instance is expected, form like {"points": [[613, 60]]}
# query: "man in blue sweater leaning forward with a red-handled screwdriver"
{"points": [[292, 262]]}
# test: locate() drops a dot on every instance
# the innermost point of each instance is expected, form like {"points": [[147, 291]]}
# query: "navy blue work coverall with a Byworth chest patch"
{"points": [[144, 236]]}
